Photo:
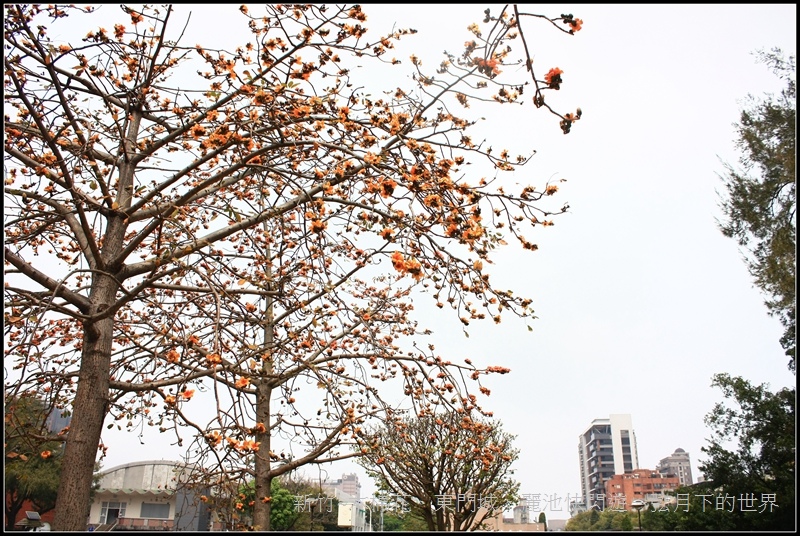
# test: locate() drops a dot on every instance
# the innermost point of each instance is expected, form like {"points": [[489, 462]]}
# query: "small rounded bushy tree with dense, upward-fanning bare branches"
{"points": [[450, 469]]}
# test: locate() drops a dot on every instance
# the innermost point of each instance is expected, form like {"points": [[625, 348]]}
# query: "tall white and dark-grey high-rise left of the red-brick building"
{"points": [[605, 449]]}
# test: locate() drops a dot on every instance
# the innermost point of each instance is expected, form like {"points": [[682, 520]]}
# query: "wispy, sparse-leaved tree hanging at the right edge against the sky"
{"points": [[759, 201]]}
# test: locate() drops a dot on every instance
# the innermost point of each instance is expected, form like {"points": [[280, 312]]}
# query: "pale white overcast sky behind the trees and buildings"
{"points": [[640, 299]]}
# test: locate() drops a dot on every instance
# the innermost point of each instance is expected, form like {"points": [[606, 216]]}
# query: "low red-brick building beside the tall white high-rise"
{"points": [[645, 484]]}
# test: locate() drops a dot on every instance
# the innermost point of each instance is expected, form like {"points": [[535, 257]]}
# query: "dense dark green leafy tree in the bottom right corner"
{"points": [[762, 426]]}
